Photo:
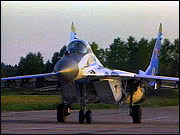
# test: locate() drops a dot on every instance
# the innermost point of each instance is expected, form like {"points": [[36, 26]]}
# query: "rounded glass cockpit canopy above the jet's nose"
{"points": [[77, 47]]}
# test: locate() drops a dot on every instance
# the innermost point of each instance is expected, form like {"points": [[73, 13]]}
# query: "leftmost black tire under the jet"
{"points": [[61, 113]]}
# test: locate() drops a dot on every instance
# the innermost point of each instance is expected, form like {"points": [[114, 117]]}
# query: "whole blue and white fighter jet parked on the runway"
{"points": [[82, 78]]}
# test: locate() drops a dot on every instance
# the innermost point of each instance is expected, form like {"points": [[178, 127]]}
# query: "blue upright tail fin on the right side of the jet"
{"points": [[153, 66]]}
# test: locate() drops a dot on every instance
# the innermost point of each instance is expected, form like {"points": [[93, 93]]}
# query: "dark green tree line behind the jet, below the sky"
{"points": [[130, 55]]}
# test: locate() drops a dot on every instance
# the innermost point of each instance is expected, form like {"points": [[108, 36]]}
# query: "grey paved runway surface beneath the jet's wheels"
{"points": [[161, 120]]}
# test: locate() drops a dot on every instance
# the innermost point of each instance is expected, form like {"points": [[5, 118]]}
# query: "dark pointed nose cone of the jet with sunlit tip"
{"points": [[68, 68]]}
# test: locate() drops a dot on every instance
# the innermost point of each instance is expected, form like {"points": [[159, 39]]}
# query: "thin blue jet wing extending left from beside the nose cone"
{"points": [[29, 76]]}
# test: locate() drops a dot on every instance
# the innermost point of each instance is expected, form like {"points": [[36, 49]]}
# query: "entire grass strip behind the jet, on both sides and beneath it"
{"points": [[22, 99]]}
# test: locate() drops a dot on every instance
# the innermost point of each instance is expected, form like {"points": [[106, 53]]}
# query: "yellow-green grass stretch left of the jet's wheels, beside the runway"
{"points": [[27, 103]]}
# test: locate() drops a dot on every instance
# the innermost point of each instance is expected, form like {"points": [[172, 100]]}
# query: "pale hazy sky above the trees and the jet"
{"points": [[32, 26]]}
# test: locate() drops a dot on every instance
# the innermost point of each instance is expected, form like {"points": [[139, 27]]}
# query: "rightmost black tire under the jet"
{"points": [[136, 114]]}
